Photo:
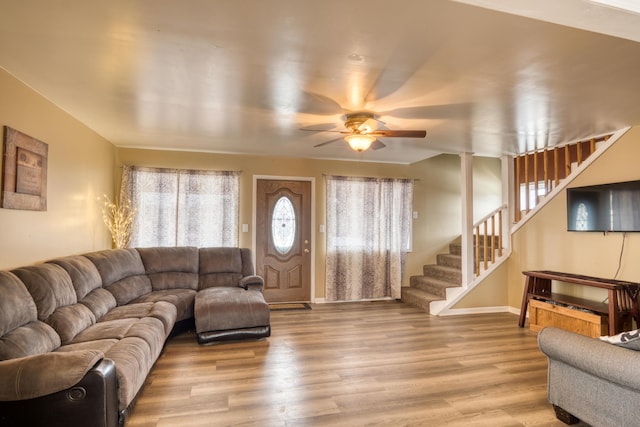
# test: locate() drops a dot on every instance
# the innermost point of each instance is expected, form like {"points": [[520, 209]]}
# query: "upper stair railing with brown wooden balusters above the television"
{"points": [[546, 168]]}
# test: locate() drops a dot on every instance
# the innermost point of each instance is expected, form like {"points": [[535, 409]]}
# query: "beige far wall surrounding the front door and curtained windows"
{"points": [[436, 192]]}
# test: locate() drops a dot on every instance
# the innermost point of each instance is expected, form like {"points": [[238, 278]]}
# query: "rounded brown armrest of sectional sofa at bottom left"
{"points": [[35, 376]]}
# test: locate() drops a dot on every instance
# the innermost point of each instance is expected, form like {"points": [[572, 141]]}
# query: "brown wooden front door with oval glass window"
{"points": [[283, 239]]}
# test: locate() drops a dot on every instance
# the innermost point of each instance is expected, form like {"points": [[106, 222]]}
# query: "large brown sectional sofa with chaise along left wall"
{"points": [[80, 334]]}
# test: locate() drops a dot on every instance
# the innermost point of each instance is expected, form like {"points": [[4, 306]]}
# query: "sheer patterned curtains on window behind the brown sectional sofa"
{"points": [[178, 207]]}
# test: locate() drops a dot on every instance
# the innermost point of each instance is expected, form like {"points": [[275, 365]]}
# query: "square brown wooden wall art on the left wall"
{"points": [[24, 172]]}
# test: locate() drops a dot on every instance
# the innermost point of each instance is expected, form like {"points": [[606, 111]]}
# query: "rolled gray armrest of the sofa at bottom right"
{"points": [[598, 358]]}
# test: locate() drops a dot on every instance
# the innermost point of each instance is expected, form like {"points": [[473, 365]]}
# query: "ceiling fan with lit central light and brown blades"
{"points": [[362, 132]]}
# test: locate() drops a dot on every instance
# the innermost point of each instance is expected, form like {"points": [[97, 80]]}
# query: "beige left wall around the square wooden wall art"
{"points": [[80, 169]]}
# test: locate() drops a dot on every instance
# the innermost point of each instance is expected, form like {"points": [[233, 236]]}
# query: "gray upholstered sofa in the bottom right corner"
{"points": [[591, 380]]}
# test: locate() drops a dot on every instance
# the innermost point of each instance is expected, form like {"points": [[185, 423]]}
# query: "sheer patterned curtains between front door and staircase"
{"points": [[368, 234]]}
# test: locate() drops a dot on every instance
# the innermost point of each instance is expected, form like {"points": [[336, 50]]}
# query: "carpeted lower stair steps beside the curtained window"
{"points": [[435, 279]]}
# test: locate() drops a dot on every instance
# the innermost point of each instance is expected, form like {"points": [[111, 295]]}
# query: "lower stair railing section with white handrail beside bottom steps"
{"points": [[488, 239]]}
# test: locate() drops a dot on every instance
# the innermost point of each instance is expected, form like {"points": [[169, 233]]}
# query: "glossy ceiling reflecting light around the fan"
{"points": [[245, 76]]}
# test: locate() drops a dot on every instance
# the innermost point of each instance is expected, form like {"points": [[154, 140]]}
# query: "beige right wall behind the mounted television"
{"points": [[544, 242]]}
